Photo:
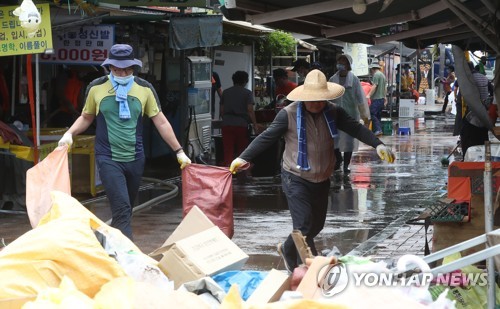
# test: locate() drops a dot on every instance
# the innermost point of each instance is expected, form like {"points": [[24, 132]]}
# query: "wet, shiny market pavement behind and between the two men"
{"points": [[367, 209]]}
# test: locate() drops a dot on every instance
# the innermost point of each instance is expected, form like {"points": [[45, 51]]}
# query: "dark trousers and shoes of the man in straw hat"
{"points": [[308, 203]]}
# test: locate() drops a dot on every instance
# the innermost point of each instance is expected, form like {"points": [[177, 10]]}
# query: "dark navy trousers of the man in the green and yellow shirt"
{"points": [[121, 181]]}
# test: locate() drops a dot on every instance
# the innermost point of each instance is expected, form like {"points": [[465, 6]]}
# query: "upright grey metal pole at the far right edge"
{"points": [[488, 222]]}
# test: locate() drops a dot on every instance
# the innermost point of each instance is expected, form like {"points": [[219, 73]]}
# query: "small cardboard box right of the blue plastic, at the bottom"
{"points": [[271, 288]]}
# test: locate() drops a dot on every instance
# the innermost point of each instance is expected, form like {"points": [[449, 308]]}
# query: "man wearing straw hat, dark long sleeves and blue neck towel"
{"points": [[309, 126]]}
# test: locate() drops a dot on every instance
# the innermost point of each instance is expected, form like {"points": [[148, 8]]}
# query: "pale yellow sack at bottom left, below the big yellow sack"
{"points": [[66, 296]]}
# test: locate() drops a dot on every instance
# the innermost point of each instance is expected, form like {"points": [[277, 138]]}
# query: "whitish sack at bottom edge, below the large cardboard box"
{"points": [[125, 293]]}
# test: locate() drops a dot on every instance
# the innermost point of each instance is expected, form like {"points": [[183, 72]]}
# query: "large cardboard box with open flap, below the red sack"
{"points": [[196, 249]]}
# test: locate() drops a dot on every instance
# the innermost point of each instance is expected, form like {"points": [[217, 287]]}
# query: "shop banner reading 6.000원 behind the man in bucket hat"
{"points": [[82, 45]]}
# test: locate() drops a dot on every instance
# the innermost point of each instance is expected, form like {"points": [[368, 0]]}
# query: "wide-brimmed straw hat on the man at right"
{"points": [[316, 88]]}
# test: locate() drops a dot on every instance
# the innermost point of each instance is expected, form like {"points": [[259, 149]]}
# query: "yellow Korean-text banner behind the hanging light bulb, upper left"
{"points": [[13, 37]]}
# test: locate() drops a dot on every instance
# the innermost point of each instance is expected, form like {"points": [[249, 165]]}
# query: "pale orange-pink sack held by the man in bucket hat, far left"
{"points": [[52, 173]]}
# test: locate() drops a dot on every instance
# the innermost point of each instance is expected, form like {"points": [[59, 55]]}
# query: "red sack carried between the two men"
{"points": [[211, 189]]}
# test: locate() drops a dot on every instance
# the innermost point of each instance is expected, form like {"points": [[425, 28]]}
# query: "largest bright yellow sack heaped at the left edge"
{"points": [[62, 244]]}
